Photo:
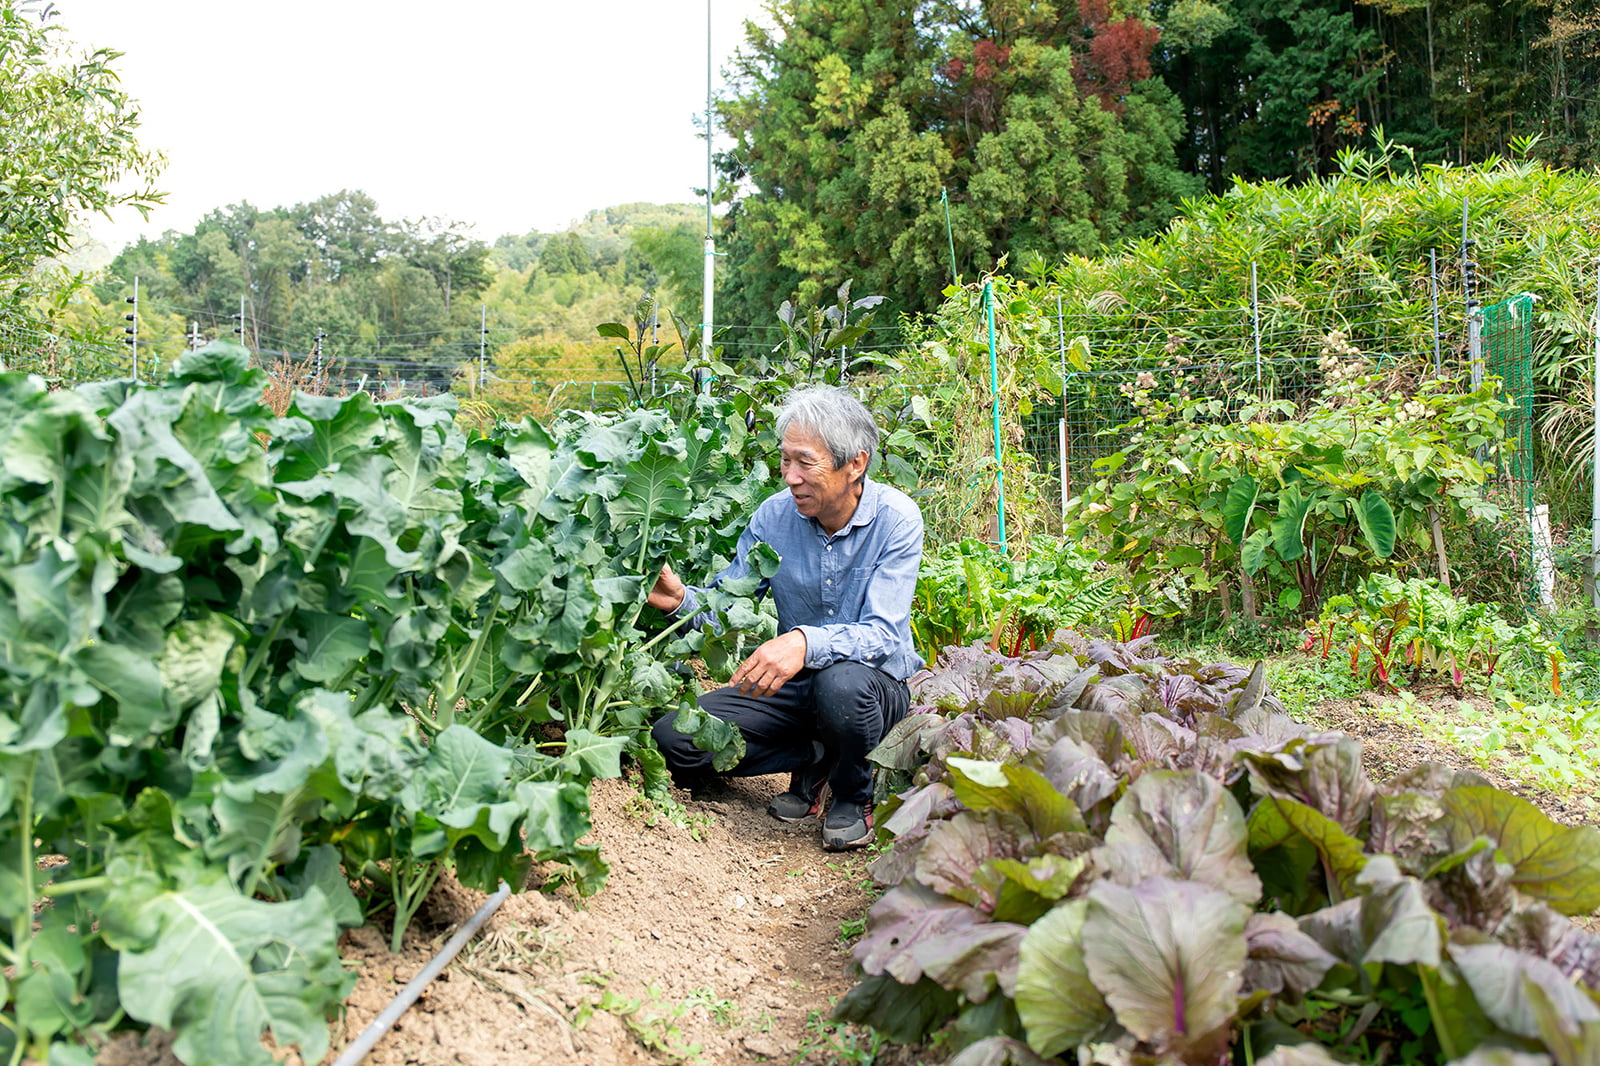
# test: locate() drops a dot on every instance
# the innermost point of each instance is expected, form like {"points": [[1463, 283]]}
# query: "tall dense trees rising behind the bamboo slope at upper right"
{"points": [[908, 145]]}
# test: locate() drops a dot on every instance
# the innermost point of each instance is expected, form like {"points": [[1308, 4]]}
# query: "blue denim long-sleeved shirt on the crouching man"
{"points": [[850, 593]]}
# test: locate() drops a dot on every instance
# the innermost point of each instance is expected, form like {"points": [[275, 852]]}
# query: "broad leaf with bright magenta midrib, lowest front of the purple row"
{"points": [[1170, 979]]}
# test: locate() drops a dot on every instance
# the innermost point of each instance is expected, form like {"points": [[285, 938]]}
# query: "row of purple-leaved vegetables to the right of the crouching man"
{"points": [[1106, 856]]}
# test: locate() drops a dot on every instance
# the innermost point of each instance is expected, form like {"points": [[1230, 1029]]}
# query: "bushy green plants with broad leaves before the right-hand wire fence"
{"points": [[1202, 497]]}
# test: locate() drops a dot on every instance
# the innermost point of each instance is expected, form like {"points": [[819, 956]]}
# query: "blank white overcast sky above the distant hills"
{"points": [[508, 116]]}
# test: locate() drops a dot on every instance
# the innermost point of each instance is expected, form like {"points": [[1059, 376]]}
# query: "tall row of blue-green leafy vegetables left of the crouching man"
{"points": [[249, 662]]}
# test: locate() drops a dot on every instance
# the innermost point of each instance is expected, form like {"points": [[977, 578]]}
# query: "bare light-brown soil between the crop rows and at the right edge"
{"points": [[718, 940]]}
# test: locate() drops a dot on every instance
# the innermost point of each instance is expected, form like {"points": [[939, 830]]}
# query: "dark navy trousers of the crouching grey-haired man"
{"points": [[822, 724]]}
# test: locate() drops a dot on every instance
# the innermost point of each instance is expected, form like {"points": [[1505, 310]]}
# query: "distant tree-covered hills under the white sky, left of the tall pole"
{"points": [[388, 300]]}
